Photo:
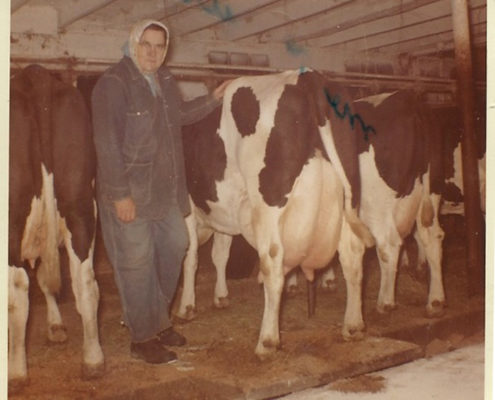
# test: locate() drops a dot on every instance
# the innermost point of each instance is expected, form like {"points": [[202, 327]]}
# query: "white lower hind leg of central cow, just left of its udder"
{"points": [[271, 256]]}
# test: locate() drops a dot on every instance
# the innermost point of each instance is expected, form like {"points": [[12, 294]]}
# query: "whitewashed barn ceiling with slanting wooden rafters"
{"points": [[389, 26]]}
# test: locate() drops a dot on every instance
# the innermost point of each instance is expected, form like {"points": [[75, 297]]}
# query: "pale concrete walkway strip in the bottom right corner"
{"points": [[456, 375]]}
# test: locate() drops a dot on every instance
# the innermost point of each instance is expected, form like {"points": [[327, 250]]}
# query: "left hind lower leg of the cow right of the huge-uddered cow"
{"points": [[388, 250]]}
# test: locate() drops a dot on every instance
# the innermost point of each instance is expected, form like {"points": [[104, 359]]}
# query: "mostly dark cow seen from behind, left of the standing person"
{"points": [[51, 203]]}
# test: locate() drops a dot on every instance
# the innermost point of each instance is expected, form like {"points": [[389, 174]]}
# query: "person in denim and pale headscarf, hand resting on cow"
{"points": [[141, 187]]}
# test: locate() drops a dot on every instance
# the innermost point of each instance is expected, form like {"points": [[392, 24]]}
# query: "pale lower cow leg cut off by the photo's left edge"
{"points": [[18, 315]]}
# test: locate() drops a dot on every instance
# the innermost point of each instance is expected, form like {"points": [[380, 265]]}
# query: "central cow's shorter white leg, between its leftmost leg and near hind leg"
{"points": [[220, 256]]}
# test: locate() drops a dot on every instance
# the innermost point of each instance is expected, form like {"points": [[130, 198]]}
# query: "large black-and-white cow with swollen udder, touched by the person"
{"points": [[260, 167]]}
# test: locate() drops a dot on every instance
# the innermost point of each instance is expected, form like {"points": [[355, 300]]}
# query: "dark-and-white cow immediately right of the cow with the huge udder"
{"points": [[401, 184]]}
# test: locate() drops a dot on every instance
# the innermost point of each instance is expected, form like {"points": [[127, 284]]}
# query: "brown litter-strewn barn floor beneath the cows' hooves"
{"points": [[219, 361]]}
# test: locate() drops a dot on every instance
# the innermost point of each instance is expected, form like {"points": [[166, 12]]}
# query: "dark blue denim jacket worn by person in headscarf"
{"points": [[138, 139]]}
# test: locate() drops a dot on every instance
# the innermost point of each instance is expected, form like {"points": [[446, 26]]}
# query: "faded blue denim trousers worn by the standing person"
{"points": [[146, 256]]}
